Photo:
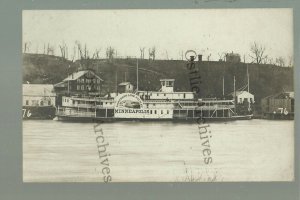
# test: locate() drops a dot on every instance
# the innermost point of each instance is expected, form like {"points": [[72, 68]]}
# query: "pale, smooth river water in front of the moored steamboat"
{"points": [[250, 150]]}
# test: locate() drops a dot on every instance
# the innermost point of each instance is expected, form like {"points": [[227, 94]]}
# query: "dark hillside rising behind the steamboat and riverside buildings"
{"points": [[264, 79]]}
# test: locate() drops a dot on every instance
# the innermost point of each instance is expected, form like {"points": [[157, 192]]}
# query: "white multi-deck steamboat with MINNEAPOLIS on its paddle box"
{"points": [[164, 104]]}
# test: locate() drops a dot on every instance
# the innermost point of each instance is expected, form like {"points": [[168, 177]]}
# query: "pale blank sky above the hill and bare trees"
{"points": [[207, 31]]}
